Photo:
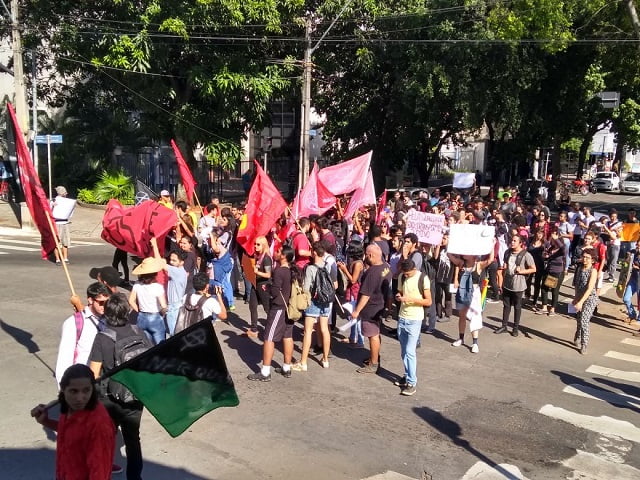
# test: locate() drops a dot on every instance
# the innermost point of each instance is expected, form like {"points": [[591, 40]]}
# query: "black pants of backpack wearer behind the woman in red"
{"points": [[127, 417]]}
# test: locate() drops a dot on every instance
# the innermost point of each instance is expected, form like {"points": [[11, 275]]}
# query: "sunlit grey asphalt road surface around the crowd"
{"points": [[526, 407]]}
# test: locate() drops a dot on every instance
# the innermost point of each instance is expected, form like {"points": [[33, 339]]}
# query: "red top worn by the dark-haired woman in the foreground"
{"points": [[86, 441]]}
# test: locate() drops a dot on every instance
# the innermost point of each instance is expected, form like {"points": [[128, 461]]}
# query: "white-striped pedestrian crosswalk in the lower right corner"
{"points": [[614, 433]]}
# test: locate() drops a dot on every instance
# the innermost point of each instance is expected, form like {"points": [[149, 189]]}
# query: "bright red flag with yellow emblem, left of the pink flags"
{"points": [[264, 207]]}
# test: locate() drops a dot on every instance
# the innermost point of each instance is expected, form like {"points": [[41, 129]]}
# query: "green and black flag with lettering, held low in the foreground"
{"points": [[180, 379]]}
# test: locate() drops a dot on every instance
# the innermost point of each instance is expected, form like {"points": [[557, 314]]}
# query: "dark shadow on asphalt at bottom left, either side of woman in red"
{"points": [[39, 463]]}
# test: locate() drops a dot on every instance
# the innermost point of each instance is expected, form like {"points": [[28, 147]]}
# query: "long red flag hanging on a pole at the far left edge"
{"points": [[35, 197]]}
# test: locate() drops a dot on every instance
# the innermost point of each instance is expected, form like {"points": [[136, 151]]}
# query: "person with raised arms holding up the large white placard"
{"points": [[467, 280]]}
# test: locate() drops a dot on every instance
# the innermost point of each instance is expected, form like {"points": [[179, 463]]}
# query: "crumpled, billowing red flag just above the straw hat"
{"points": [[131, 228]]}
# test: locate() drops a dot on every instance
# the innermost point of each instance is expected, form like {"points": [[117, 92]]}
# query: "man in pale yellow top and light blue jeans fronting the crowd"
{"points": [[414, 293]]}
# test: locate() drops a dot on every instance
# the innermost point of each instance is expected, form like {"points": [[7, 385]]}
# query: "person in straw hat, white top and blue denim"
{"points": [[148, 298]]}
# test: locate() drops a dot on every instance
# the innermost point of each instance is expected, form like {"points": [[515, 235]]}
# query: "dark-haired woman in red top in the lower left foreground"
{"points": [[85, 439]]}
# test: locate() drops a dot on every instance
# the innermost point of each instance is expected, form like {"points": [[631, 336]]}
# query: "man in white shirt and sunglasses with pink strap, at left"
{"points": [[77, 336]]}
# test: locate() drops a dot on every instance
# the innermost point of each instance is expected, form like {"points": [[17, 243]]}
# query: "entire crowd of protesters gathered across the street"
{"points": [[367, 269]]}
